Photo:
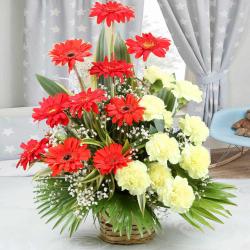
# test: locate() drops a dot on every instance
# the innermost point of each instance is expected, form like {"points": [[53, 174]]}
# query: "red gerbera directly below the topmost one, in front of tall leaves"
{"points": [[112, 68]]}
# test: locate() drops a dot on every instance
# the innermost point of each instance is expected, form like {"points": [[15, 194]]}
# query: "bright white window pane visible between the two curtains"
{"points": [[153, 21]]}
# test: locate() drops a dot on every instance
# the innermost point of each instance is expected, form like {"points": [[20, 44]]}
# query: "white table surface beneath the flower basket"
{"points": [[22, 229]]}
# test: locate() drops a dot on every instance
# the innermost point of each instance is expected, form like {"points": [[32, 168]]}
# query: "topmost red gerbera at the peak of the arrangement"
{"points": [[111, 12]]}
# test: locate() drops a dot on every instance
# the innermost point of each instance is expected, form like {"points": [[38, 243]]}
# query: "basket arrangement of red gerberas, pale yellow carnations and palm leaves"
{"points": [[116, 149]]}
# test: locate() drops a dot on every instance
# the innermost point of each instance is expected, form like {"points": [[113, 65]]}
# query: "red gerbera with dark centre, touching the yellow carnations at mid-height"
{"points": [[125, 110]]}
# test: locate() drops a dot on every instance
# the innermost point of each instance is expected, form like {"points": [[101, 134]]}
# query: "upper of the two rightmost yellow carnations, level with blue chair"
{"points": [[195, 128]]}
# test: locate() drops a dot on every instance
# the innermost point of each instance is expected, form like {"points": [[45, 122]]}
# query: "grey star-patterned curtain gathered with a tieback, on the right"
{"points": [[206, 33]]}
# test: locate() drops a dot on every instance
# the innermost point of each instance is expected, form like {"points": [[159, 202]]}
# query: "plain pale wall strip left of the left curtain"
{"points": [[11, 52]]}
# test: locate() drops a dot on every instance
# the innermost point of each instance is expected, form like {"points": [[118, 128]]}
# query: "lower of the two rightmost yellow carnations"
{"points": [[196, 160]]}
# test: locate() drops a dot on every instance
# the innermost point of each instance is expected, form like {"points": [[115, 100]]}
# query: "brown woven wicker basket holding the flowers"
{"points": [[109, 236]]}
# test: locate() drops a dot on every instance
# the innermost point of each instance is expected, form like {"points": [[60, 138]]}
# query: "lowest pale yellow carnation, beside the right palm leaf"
{"points": [[179, 196]]}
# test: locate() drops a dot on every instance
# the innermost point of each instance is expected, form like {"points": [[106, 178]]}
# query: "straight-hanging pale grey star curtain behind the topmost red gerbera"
{"points": [[51, 21]]}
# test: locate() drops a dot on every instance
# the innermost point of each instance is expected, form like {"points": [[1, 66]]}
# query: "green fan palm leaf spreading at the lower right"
{"points": [[210, 205]]}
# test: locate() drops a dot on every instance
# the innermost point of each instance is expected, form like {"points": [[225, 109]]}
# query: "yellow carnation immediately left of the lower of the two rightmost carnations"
{"points": [[162, 148]]}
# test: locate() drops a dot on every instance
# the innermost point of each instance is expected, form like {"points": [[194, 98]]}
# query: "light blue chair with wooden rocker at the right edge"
{"points": [[221, 130]]}
